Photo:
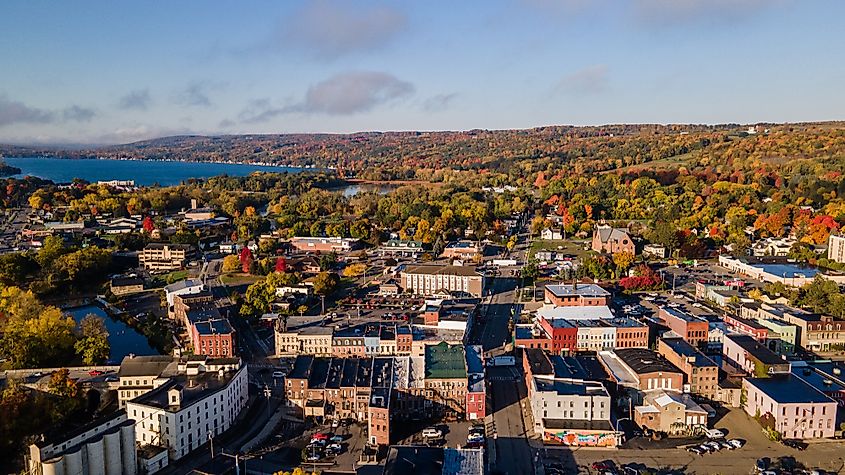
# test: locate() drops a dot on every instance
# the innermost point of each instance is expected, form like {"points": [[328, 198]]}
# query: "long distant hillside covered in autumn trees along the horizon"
{"points": [[390, 155]]}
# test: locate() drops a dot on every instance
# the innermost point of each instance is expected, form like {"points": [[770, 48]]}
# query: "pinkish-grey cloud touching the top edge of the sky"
{"points": [[333, 28]]}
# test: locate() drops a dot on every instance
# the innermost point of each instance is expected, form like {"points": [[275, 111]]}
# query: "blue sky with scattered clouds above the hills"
{"points": [[114, 72]]}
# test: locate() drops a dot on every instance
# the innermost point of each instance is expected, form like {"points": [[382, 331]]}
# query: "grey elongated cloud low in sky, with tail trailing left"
{"points": [[342, 94]]}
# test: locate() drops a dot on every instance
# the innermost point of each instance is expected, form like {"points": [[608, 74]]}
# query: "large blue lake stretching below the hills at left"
{"points": [[143, 172]]}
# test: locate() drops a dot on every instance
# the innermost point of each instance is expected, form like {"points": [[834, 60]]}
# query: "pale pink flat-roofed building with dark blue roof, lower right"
{"points": [[797, 409]]}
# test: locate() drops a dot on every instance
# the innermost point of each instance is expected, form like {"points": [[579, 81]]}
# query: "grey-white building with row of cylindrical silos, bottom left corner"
{"points": [[105, 446]]}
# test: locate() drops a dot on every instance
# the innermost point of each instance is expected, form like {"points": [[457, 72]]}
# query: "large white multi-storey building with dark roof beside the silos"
{"points": [[187, 410]]}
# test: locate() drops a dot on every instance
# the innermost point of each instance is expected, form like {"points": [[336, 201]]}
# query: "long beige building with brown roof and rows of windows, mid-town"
{"points": [[433, 279]]}
